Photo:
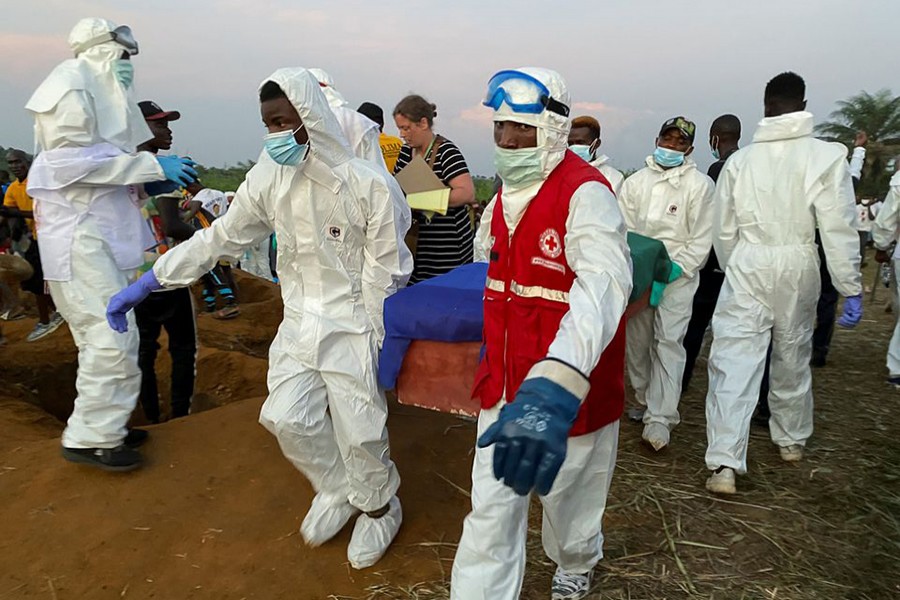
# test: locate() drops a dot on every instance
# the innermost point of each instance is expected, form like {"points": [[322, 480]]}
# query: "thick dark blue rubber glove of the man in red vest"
{"points": [[532, 433]]}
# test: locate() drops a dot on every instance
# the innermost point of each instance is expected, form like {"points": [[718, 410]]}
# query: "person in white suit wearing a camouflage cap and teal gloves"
{"points": [[669, 200]]}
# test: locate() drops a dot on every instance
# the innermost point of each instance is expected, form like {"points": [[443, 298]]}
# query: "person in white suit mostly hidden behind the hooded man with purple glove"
{"points": [[364, 136]]}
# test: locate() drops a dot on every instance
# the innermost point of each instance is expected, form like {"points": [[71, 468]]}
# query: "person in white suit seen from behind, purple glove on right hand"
{"points": [[770, 197]]}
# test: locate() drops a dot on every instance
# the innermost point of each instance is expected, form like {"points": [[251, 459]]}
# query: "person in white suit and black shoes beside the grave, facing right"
{"points": [[87, 129]]}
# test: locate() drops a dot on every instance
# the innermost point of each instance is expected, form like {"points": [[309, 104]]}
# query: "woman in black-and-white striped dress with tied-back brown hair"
{"points": [[445, 241]]}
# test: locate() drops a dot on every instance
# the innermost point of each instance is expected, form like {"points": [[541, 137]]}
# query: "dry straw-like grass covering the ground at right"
{"points": [[825, 528]]}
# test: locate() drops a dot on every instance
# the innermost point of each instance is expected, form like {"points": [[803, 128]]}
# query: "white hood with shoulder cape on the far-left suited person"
{"points": [[118, 118]]}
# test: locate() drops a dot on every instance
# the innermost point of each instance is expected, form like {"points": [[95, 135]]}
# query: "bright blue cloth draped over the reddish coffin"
{"points": [[448, 308]]}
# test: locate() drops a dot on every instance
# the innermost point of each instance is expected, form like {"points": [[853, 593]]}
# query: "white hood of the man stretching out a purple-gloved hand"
{"points": [[326, 141]]}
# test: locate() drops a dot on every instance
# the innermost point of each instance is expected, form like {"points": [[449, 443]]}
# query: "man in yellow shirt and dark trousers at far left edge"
{"points": [[22, 206]]}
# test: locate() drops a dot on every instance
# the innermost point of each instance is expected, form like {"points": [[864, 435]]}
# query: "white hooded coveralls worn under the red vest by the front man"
{"points": [[490, 559]]}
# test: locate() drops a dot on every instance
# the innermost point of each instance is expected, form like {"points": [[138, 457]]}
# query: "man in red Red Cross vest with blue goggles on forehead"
{"points": [[551, 380]]}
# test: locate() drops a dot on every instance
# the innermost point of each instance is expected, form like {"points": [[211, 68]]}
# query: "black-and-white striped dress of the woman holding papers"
{"points": [[445, 242]]}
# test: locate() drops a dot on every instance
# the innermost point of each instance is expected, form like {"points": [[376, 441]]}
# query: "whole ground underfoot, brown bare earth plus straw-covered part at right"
{"points": [[214, 514]]}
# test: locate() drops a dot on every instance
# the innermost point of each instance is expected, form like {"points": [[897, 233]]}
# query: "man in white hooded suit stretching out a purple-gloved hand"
{"points": [[338, 259]]}
